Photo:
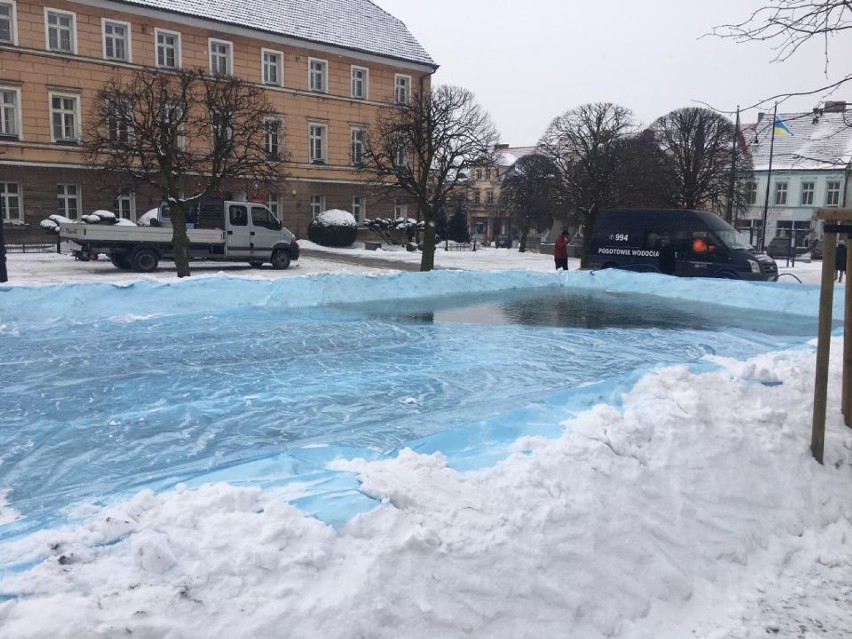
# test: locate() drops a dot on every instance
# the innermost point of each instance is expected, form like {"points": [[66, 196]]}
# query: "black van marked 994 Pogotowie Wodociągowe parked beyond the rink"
{"points": [[676, 242]]}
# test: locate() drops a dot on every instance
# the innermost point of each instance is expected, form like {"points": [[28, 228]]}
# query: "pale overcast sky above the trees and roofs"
{"points": [[528, 62]]}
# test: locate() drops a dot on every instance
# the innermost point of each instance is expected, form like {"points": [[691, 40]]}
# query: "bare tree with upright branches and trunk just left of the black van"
{"points": [[585, 145]]}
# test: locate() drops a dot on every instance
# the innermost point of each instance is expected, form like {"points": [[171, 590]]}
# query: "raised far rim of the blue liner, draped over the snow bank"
{"points": [[88, 302]]}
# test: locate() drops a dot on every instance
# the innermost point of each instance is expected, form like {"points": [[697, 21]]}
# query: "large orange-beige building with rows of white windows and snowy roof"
{"points": [[326, 67]]}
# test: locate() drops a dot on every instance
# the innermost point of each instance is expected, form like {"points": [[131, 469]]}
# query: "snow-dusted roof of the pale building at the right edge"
{"points": [[817, 141]]}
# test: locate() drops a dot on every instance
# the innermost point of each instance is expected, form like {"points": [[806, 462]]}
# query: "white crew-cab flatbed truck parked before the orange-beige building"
{"points": [[224, 231]]}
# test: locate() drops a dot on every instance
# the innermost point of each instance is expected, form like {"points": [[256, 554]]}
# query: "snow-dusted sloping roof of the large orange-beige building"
{"points": [[352, 24]]}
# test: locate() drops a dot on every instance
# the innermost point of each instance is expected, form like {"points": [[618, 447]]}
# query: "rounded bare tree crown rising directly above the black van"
{"points": [[699, 144]]}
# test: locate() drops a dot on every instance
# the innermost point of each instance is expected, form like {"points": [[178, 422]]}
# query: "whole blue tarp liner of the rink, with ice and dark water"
{"points": [[107, 389]]}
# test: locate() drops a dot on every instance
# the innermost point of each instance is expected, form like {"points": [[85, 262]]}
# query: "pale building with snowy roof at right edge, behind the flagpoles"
{"points": [[810, 165]]}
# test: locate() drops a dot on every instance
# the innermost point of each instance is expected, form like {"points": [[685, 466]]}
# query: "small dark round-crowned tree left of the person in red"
{"points": [[532, 193]]}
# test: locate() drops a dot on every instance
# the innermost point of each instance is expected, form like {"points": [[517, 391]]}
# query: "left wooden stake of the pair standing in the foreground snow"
{"points": [[826, 301]]}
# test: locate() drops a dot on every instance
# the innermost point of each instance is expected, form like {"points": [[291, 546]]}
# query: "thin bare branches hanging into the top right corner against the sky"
{"points": [[788, 25]]}
